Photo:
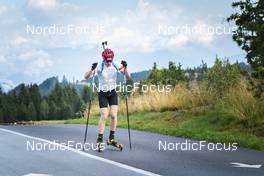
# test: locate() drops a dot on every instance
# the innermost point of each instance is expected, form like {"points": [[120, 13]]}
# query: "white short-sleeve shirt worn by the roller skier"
{"points": [[107, 76]]}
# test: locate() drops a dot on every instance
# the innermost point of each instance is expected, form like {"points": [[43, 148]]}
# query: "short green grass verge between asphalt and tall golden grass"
{"points": [[211, 125]]}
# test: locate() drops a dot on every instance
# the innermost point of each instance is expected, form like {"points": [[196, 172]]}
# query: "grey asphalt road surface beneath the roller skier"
{"points": [[147, 154]]}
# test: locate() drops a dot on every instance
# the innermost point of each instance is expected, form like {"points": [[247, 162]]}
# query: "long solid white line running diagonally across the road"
{"points": [[134, 169]]}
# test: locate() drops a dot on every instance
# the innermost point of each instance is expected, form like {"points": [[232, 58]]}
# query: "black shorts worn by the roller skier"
{"points": [[107, 98]]}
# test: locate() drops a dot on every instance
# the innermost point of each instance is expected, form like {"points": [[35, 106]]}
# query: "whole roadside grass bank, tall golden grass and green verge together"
{"points": [[193, 112]]}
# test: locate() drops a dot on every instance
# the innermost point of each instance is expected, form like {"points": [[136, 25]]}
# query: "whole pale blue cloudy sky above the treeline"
{"points": [[45, 38]]}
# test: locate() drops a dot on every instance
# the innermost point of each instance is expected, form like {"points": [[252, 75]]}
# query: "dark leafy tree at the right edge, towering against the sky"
{"points": [[249, 35]]}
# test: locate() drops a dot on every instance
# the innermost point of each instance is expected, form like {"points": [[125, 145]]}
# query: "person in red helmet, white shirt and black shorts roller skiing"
{"points": [[107, 71]]}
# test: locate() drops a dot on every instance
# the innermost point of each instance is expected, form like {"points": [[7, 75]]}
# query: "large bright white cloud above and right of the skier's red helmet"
{"points": [[138, 30]]}
